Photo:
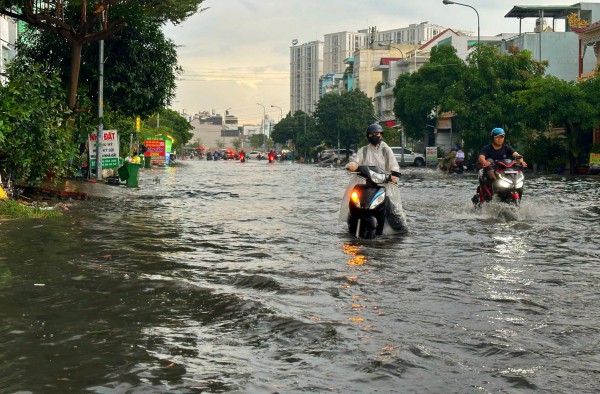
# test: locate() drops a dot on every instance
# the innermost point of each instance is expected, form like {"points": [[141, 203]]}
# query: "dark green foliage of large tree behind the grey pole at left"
{"points": [[140, 68]]}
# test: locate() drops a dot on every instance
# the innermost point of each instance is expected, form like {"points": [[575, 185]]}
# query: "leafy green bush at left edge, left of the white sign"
{"points": [[35, 134]]}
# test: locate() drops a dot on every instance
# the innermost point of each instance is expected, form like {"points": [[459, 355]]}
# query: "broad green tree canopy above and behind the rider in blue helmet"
{"points": [[480, 92]]}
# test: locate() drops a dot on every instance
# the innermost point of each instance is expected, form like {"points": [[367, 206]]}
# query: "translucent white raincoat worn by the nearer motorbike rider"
{"points": [[381, 156]]}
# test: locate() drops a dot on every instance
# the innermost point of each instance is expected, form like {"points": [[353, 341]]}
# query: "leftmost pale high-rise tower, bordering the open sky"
{"points": [[306, 68]]}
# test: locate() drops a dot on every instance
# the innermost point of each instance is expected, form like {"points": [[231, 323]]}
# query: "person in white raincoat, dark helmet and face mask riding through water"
{"points": [[377, 153]]}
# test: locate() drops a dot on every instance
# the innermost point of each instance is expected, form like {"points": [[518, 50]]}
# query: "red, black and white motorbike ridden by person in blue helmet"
{"points": [[507, 186]]}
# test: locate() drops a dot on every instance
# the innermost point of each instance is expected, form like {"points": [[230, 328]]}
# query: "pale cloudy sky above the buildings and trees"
{"points": [[236, 53]]}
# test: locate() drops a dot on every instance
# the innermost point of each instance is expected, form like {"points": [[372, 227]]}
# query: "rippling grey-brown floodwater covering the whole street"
{"points": [[237, 277]]}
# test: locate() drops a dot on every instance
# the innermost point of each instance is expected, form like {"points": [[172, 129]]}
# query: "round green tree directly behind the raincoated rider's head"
{"points": [[344, 117]]}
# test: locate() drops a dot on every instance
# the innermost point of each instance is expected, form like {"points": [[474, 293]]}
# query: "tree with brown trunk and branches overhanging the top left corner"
{"points": [[78, 25]]}
